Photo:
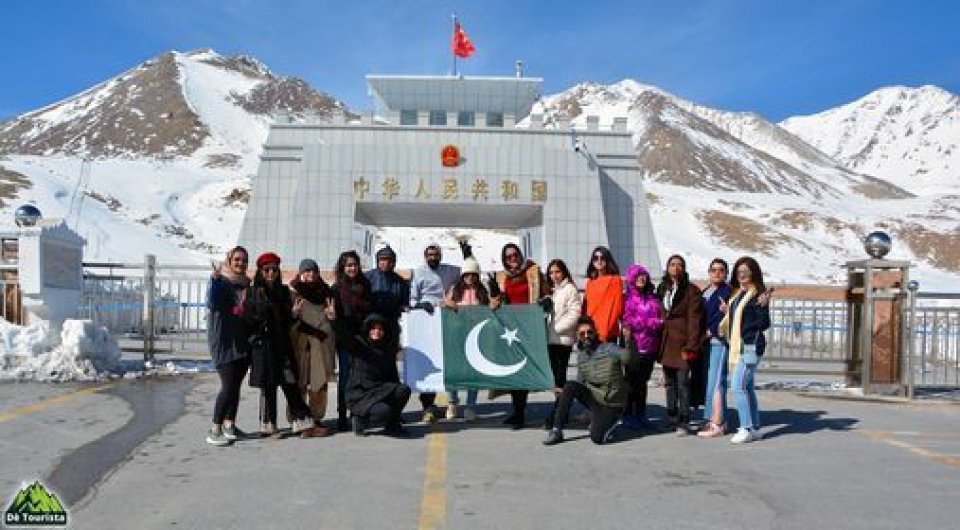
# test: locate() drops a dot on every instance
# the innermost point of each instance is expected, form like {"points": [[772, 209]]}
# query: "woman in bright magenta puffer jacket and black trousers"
{"points": [[641, 314]]}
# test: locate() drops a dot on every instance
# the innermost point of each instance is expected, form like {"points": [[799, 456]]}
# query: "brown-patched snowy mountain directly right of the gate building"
{"points": [[726, 184]]}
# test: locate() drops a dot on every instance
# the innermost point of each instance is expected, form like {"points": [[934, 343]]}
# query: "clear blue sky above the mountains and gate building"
{"points": [[776, 57]]}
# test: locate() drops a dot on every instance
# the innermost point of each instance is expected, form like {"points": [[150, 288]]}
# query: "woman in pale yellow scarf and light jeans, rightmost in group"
{"points": [[747, 316]]}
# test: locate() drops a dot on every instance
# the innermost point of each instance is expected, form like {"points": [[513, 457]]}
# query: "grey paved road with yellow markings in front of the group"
{"points": [[132, 455]]}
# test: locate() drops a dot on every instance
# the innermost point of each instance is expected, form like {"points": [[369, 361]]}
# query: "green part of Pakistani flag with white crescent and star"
{"points": [[504, 349]]}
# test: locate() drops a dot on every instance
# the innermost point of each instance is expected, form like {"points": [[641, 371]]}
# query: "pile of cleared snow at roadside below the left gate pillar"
{"points": [[85, 352]]}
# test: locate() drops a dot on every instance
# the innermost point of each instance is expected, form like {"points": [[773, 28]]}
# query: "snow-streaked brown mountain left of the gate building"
{"points": [[157, 159]]}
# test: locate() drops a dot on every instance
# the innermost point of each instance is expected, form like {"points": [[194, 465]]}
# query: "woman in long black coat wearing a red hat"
{"points": [[269, 309]]}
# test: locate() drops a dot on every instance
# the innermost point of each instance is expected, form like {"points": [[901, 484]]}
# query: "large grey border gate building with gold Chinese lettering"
{"points": [[445, 152]]}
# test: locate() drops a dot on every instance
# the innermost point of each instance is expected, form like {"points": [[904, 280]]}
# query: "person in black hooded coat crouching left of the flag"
{"points": [[375, 395]]}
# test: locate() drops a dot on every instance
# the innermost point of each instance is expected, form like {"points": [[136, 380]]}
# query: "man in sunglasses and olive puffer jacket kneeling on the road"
{"points": [[601, 385]]}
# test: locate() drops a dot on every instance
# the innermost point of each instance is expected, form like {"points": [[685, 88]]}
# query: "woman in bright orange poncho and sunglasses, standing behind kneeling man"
{"points": [[603, 294]]}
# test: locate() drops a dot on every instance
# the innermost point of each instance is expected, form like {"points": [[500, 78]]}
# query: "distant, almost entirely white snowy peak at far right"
{"points": [[907, 136]]}
